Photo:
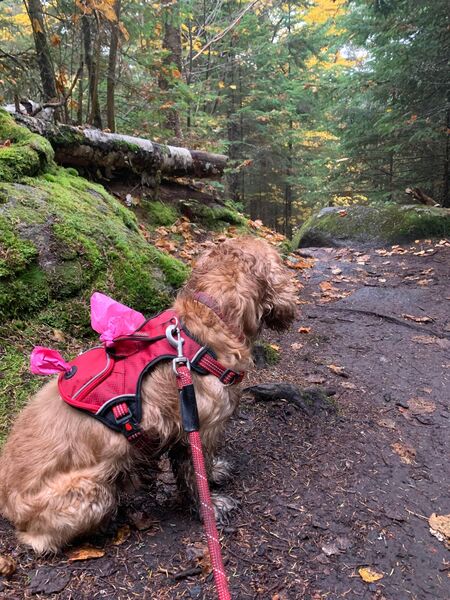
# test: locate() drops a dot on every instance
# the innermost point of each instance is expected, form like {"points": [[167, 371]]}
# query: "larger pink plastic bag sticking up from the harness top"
{"points": [[112, 319]]}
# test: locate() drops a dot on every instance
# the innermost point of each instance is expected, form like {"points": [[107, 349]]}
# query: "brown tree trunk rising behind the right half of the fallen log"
{"points": [[171, 61]]}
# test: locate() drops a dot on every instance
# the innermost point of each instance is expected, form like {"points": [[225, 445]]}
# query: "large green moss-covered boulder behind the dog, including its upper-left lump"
{"points": [[62, 236]]}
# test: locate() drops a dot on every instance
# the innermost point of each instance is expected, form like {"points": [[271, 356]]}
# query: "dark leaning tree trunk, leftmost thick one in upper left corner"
{"points": [[34, 9]]}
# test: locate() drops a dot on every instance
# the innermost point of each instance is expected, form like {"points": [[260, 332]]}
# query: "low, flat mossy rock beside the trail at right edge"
{"points": [[388, 223]]}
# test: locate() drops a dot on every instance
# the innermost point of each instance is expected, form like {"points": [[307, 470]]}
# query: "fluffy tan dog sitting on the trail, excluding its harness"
{"points": [[59, 468]]}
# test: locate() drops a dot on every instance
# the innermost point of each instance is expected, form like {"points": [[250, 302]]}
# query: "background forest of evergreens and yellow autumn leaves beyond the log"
{"points": [[317, 103]]}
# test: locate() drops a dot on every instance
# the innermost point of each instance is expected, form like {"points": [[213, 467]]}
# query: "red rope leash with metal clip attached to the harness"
{"points": [[191, 424]]}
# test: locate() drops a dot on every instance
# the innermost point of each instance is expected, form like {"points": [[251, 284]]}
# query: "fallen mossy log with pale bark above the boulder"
{"points": [[120, 155]]}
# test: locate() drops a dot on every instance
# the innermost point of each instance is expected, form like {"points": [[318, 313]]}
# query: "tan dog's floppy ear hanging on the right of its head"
{"points": [[279, 302]]}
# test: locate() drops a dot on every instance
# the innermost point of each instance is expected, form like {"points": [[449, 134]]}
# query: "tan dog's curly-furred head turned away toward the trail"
{"points": [[249, 281]]}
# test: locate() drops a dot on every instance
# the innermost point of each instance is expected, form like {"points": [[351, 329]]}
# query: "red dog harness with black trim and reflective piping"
{"points": [[106, 381]]}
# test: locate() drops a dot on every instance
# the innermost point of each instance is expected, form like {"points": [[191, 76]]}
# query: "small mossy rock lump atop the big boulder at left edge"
{"points": [[22, 153]]}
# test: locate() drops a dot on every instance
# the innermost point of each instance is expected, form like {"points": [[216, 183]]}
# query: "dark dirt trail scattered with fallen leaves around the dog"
{"points": [[328, 502]]}
